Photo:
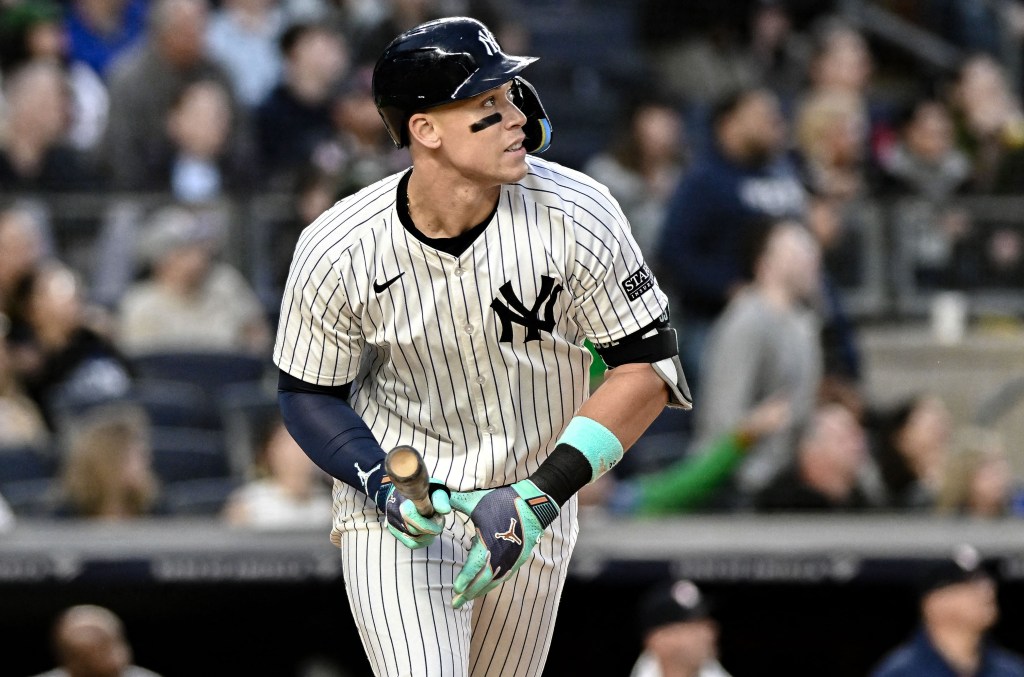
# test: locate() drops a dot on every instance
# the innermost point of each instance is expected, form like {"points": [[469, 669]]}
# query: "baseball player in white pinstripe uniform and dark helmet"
{"points": [[447, 309]]}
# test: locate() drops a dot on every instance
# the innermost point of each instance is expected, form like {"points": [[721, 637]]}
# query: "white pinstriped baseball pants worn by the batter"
{"points": [[402, 603]]}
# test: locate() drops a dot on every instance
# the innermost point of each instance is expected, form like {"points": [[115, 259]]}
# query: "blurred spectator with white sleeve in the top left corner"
{"points": [[34, 30]]}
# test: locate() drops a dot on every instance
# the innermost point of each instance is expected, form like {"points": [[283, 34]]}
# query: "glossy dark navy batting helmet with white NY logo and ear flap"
{"points": [[450, 60]]}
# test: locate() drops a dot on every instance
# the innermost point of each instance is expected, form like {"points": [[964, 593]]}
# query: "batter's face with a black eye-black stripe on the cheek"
{"points": [[482, 138]]}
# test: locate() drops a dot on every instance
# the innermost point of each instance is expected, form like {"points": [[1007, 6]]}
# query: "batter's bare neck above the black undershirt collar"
{"points": [[446, 209]]}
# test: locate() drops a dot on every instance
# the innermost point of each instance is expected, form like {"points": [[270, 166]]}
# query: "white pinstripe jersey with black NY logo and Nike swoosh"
{"points": [[477, 361]]}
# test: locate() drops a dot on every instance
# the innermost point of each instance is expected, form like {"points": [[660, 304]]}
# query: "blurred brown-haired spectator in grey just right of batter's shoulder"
{"points": [[643, 165]]}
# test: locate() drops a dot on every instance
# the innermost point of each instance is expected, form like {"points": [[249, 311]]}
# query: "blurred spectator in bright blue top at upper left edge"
{"points": [[100, 31]]}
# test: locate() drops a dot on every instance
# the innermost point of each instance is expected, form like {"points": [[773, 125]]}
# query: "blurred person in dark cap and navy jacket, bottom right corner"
{"points": [[958, 608]]}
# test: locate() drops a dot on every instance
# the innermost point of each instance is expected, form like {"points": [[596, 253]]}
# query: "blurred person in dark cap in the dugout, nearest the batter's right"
{"points": [[680, 638]]}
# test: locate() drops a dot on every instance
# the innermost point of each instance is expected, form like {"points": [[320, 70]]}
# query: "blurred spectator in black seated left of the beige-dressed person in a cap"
{"points": [[78, 365]]}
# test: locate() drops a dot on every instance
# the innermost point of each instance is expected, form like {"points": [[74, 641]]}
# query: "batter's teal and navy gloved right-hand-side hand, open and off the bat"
{"points": [[509, 521]]}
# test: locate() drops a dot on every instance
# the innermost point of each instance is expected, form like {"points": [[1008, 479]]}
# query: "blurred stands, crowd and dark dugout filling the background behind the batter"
{"points": [[832, 195]]}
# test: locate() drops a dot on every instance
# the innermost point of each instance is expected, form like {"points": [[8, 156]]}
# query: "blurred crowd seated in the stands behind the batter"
{"points": [[742, 139]]}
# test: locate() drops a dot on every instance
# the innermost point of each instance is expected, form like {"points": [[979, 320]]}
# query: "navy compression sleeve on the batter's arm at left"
{"points": [[331, 434]]}
